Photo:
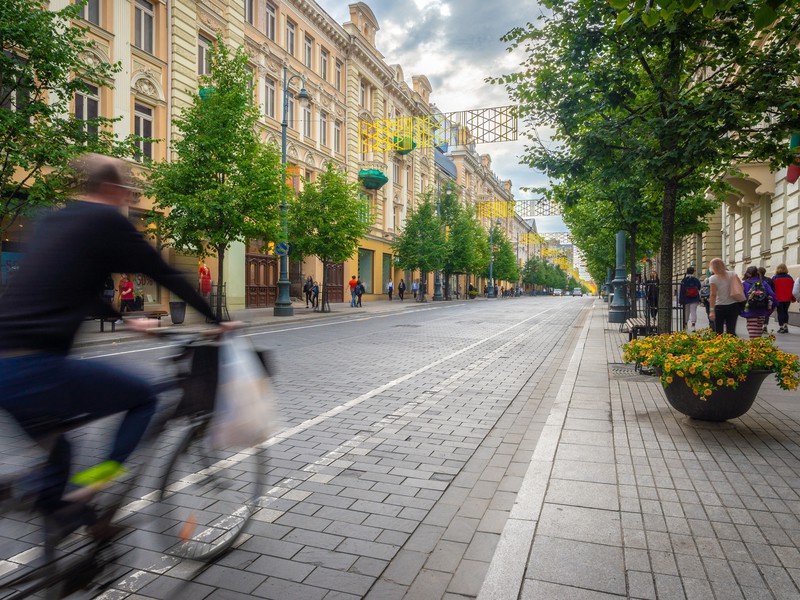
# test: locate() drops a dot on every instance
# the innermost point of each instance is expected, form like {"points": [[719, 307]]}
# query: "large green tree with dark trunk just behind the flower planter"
{"points": [[682, 100]]}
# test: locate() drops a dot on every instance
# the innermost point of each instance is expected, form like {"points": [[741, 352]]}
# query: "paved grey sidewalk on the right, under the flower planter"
{"points": [[625, 497]]}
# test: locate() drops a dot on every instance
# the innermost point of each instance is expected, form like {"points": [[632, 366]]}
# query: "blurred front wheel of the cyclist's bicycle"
{"points": [[206, 497]]}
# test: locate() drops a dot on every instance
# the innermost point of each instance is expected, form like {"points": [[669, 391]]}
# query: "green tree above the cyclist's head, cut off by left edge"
{"points": [[40, 55]]}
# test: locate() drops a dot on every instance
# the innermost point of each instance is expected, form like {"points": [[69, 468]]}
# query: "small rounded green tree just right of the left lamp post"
{"points": [[327, 220]]}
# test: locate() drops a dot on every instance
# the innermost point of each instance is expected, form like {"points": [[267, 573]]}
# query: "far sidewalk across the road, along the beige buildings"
{"points": [[90, 335]]}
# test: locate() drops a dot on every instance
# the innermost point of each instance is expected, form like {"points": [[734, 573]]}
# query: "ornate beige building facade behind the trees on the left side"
{"points": [[163, 46]]}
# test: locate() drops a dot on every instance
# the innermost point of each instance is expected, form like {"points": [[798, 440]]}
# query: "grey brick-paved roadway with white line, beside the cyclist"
{"points": [[402, 443]]}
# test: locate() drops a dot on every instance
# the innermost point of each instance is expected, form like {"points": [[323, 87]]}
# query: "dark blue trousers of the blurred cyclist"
{"points": [[46, 391]]}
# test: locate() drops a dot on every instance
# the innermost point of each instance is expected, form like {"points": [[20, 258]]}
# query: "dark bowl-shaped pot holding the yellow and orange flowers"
{"points": [[723, 404]]}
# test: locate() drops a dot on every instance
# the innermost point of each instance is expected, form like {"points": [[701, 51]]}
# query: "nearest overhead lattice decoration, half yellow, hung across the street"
{"points": [[479, 126]]}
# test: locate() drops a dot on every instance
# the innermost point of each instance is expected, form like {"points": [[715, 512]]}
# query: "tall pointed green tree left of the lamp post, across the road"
{"points": [[223, 185]]}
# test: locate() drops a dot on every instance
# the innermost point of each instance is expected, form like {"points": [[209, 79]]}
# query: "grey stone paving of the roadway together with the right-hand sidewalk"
{"points": [[492, 449]]}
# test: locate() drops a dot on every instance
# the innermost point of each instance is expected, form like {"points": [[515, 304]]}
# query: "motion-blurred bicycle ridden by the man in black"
{"points": [[202, 499]]}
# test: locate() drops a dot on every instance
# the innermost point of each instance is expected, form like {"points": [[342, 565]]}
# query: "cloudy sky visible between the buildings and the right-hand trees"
{"points": [[456, 45]]}
